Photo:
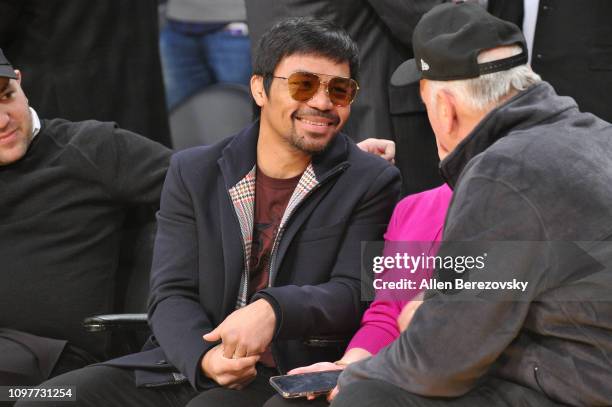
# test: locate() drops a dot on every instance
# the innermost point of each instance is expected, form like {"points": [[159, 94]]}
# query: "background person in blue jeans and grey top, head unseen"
{"points": [[202, 43]]}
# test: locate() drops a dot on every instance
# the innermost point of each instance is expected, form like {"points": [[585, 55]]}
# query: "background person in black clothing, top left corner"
{"points": [[89, 60]]}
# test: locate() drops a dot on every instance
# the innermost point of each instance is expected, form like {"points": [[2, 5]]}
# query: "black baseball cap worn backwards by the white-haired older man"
{"points": [[448, 39]]}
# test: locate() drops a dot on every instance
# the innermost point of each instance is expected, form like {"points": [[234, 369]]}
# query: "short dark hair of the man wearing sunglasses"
{"points": [[303, 35]]}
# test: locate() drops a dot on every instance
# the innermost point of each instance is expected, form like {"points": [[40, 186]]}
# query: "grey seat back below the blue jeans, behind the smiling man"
{"points": [[214, 113]]}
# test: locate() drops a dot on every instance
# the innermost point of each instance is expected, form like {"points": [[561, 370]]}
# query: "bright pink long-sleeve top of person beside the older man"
{"points": [[419, 217]]}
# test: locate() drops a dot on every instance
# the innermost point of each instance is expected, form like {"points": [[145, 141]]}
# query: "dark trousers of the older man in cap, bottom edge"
{"points": [[374, 393]]}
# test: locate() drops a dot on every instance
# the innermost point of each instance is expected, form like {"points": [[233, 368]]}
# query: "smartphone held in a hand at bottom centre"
{"points": [[301, 385]]}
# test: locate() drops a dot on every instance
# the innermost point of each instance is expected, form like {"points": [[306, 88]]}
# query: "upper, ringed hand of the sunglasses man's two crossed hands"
{"points": [[247, 331]]}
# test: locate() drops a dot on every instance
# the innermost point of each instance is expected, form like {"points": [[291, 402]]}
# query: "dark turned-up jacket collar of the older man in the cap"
{"points": [[524, 110]]}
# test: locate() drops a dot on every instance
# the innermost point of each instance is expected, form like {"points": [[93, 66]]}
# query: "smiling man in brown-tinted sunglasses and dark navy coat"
{"points": [[259, 237]]}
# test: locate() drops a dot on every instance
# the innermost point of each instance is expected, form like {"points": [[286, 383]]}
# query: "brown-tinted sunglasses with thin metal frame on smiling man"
{"points": [[304, 85]]}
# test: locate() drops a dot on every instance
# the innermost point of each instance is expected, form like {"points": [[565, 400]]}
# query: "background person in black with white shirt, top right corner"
{"points": [[570, 46]]}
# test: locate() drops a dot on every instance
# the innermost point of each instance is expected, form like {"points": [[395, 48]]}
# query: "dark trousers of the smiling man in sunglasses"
{"points": [[107, 386]]}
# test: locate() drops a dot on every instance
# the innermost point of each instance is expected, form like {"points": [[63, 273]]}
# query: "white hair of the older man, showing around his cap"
{"points": [[490, 90]]}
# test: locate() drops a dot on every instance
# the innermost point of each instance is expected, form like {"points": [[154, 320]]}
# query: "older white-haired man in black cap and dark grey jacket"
{"points": [[529, 169]]}
